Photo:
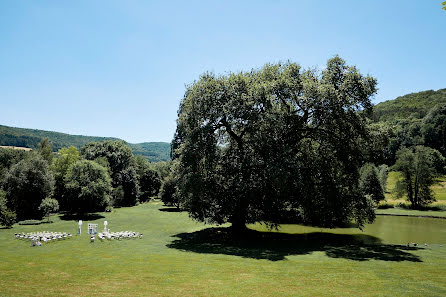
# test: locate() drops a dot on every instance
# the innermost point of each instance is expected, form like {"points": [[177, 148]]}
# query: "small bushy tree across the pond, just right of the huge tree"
{"points": [[369, 182]]}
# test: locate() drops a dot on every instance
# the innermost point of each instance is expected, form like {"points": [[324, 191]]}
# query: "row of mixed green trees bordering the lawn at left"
{"points": [[100, 175]]}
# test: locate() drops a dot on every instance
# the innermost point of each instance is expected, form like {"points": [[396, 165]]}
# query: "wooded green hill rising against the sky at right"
{"points": [[414, 105]]}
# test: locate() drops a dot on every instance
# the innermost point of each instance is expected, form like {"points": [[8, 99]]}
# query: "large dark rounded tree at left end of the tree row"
{"points": [[26, 184]]}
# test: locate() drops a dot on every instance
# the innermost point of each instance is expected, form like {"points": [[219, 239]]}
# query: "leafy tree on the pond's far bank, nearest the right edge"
{"points": [[418, 174]]}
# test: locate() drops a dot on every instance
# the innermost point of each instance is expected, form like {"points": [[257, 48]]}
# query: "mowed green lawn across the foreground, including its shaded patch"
{"points": [[180, 257]]}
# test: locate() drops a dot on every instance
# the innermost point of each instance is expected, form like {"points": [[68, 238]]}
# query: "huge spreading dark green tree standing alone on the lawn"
{"points": [[253, 145]]}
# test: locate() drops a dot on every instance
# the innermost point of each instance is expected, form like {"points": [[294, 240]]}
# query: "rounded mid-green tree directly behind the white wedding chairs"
{"points": [[89, 186]]}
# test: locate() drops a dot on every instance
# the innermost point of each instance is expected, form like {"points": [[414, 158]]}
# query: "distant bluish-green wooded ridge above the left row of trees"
{"points": [[30, 138]]}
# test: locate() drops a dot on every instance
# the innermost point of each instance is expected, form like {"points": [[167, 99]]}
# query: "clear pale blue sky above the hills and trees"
{"points": [[119, 68]]}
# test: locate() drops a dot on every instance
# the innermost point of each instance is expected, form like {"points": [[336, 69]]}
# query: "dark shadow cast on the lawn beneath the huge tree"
{"points": [[276, 246]]}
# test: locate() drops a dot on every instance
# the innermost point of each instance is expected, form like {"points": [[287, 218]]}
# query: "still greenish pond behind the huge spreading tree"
{"points": [[388, 229]]}
